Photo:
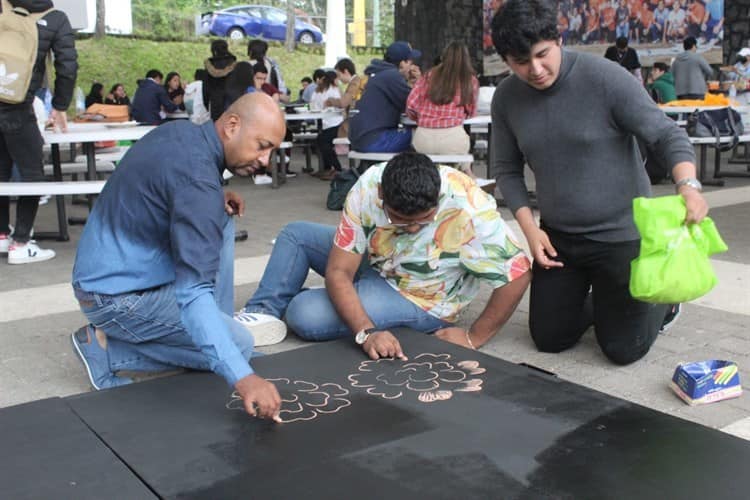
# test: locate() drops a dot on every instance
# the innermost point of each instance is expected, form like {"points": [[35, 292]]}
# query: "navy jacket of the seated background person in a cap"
{"points": [[381, 104]]}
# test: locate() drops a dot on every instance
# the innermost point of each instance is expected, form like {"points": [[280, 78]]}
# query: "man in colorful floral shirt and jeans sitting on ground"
{"points": [[429, 234]]}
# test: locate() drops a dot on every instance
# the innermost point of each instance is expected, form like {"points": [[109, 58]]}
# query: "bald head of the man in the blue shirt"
{"points": [[249, 130]]}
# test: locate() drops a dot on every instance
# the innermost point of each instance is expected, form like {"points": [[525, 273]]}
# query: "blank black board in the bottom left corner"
{"points": [[46, 451]]}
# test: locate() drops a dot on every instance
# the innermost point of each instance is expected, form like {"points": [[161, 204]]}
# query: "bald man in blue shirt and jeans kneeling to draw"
{"points": [[155, 277]]}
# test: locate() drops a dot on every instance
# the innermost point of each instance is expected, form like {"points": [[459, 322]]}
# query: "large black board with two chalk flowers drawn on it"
{"points": [[525, 434]]}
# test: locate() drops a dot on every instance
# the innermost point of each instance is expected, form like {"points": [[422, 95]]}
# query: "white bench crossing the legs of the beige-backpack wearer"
{"points": [[58, 189]]}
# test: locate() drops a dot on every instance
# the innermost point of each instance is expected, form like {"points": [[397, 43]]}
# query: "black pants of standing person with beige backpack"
{"points": [[20, 143]]}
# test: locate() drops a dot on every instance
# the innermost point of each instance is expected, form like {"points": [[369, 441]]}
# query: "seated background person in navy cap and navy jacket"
{"points": [[374, 126]]}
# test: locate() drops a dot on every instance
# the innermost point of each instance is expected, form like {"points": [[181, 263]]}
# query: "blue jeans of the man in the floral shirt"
{"points": [[302, 246]]}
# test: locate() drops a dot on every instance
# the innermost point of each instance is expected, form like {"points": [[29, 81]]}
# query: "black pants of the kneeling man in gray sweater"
{"points": [[560, 310]]}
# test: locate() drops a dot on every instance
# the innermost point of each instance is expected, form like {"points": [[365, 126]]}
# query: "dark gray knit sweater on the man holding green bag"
{"points": [[578, 137]]}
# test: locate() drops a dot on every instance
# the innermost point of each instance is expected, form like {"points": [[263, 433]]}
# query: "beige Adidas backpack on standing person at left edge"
{"points": [[19, 41]]}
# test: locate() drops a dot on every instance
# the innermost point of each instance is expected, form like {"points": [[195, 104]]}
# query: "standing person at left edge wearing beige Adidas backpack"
{"points": [[20, 139]]}
